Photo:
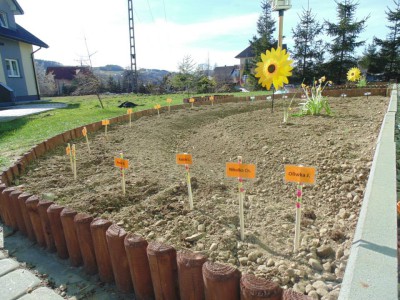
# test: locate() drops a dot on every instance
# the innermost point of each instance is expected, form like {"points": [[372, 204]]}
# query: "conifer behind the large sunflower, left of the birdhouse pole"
{"points": [[264, 40]]}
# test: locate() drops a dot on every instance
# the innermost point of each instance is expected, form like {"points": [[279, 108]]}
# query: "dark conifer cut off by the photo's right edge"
{"points": [[390, 48]]}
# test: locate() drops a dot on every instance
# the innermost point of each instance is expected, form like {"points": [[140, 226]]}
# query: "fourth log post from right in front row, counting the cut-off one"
{"points": [[190, 274]]}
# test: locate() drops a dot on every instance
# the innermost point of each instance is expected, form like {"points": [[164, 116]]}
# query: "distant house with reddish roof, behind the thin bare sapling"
{"points": [[63, 76]]}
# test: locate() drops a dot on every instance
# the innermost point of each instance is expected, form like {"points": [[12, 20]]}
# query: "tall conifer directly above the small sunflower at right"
{"points": [[345, 39]]}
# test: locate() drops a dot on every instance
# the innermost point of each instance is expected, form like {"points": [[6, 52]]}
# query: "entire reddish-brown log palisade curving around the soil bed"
{"points": [[118, 256]]}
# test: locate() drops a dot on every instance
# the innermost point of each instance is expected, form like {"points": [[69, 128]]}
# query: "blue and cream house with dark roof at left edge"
{"points": [[17, 71]]}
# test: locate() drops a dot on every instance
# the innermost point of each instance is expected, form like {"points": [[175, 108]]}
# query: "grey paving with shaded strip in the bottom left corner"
{"points": [[48, 276]]}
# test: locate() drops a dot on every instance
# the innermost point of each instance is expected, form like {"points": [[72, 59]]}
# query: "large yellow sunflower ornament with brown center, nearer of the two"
{"points": [[275, 68]]}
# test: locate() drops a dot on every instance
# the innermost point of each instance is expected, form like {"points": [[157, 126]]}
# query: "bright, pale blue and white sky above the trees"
{"points": [[210, 31]]}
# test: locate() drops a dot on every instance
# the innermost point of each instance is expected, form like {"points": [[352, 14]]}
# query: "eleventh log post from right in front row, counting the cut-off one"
{"points": [[54, 212]]}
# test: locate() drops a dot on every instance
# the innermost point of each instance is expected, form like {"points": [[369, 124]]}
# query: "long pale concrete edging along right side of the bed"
{"points": [[371, 271]]}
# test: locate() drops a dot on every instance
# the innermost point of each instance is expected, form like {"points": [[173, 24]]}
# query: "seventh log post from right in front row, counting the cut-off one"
{"points": [[115, 236]]}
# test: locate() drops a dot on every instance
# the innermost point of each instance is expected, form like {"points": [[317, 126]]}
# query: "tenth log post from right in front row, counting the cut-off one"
{"points": [[67, 219]]}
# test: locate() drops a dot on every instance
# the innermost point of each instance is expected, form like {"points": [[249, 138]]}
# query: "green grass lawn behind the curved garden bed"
{"points": [[19, 135]]}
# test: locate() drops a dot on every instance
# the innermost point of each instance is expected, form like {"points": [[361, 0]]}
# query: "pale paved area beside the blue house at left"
{"points": [[18, 111]]}
